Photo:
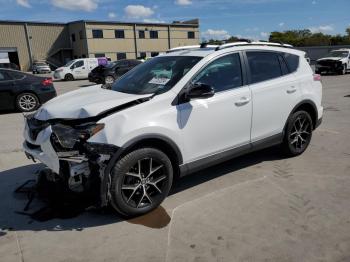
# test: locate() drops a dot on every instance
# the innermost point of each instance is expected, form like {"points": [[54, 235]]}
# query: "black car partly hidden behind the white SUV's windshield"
{"points": [[109, 73]]}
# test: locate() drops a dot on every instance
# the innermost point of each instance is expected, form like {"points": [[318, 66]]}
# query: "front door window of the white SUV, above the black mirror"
{"points": [[223, 74]]}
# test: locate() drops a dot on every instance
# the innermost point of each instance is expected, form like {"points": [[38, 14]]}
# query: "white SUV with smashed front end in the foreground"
{"points": [[173, 115]]}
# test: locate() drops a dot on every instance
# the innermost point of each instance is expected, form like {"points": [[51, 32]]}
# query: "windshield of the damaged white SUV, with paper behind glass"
{"points": [[157, 75]]}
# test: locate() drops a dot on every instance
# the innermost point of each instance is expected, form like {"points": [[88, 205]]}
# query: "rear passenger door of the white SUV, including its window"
{"points": [[275, 92]]}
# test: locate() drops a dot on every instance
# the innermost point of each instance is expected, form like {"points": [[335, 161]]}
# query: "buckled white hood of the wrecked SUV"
{"points": [[83, 103]]}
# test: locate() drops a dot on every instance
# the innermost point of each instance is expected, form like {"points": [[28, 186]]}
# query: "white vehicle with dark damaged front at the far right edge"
{"points": [[337, 61]]}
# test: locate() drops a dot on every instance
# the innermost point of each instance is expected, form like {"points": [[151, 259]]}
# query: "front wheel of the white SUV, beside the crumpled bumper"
{"points": [[134, 194]]}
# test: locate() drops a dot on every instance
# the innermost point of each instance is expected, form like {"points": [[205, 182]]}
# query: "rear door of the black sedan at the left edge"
{"points": [[7, 85]]}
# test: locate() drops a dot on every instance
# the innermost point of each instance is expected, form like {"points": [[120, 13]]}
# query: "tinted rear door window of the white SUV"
{"points": [[263, 66]]}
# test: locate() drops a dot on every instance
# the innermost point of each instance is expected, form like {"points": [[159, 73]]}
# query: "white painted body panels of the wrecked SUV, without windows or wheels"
{"points": [[201, 127]]}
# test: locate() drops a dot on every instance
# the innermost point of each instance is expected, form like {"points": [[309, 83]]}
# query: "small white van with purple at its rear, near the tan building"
{"points": [[78, 68]]}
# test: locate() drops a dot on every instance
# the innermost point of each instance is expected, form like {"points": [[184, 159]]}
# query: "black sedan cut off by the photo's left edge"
{"points": [[23, 91]]}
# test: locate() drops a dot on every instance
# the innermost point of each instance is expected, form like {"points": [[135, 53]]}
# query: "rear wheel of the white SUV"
{"points": [[298, 133]]}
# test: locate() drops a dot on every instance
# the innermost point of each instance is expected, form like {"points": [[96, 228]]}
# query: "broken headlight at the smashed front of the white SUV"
{"points": [[68, 136]]}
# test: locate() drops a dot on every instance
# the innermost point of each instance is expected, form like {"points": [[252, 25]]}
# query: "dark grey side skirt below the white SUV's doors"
{"points": [[218, 158]]}
